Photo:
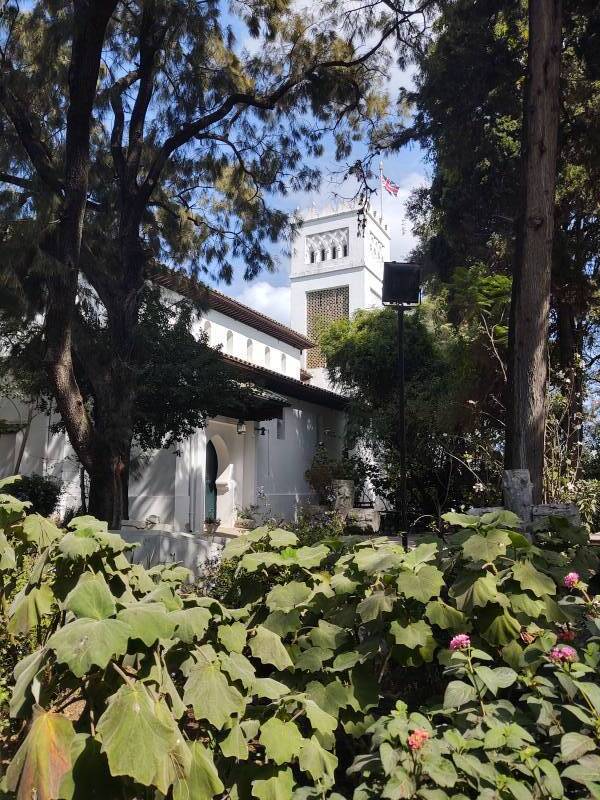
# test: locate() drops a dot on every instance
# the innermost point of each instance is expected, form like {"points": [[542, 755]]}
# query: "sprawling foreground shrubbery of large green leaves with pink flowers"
{"points": [[141, 688]]}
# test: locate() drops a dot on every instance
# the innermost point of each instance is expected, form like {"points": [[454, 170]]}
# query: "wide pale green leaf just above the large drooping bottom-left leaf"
{"points": [[87, 642]]}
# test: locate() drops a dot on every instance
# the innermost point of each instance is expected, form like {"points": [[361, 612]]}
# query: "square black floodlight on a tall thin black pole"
{"points": [[401, 288]]}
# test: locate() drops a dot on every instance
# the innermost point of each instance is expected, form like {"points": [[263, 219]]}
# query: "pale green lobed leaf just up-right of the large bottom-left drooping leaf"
{"points": [[208, 691]]}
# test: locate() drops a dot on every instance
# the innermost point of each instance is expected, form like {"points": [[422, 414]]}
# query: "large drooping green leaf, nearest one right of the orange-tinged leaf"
{"points": [[141, 739]]}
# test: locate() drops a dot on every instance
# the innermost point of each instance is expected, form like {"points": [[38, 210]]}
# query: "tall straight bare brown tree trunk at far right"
{"points": [[528, 357]]}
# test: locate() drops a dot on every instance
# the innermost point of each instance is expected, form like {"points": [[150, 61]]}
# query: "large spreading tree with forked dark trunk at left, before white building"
{"points": [[143, 132]]}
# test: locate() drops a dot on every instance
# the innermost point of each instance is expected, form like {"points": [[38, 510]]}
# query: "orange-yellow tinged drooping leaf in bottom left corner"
{"points": [[38, 767]]}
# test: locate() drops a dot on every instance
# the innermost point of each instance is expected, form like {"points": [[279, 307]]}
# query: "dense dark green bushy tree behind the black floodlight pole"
{"points": [[453, 434]]}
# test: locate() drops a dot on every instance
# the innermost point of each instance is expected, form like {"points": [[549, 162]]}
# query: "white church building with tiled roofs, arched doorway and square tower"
{"points": [[336, 268]]}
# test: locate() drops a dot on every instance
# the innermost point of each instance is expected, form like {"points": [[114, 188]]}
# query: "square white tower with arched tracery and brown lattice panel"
{"points": [[337, 268]]}
